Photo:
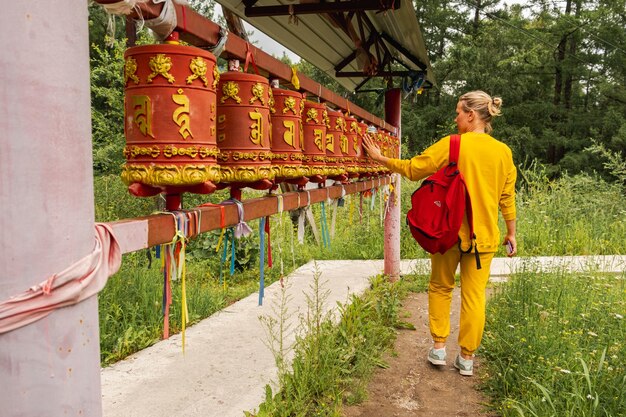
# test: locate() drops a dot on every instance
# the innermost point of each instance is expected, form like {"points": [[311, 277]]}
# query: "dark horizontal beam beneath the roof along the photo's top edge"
{"points": [[322, 7]]}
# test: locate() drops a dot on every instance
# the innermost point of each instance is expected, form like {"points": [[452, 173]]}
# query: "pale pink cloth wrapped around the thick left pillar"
{"points": [[76, 283]]}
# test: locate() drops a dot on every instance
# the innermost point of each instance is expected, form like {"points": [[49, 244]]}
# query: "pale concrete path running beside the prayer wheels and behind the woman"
{"points": [[227, 364]]}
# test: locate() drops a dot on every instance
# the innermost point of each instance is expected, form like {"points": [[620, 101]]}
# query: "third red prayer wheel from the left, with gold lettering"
{"points": [[287, 134]]}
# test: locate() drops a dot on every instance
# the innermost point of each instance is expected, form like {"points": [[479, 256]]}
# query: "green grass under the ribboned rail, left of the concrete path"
{"points": [[130, 306]]}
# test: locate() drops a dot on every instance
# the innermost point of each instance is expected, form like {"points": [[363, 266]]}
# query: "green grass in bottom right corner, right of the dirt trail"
{"points": [[554, 345]]}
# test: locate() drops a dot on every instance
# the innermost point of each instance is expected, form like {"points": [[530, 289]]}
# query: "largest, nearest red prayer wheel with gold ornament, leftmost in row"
{"points": [[170, 113]]}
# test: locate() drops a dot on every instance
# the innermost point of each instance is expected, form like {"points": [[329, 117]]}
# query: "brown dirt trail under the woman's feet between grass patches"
{"points": [[411, 386]]}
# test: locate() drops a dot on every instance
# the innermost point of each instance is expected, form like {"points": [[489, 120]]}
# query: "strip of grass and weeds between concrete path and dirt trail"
{"points": [[331, 362]]}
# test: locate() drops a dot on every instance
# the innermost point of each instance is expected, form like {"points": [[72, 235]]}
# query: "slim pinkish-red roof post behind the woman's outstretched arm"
{"points": [[393, 113]]}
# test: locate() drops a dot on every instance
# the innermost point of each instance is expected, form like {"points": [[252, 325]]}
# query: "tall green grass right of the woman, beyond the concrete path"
{"points": [[572, 215]]}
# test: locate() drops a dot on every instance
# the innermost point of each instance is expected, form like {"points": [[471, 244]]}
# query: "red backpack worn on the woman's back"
{"points": [[438, 207]]}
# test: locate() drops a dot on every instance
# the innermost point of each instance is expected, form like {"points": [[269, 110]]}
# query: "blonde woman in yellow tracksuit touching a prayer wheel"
{"points": [[489, 172]]}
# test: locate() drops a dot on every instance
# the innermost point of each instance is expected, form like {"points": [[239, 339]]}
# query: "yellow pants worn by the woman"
{"points": [[473, 285]]}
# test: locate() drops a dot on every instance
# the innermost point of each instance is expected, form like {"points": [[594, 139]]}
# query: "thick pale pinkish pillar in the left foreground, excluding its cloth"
{"points": [[50, 367]]}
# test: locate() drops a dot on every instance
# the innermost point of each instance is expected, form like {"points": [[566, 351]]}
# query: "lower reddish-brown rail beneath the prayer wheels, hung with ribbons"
{"points": [[157, 229]]}
